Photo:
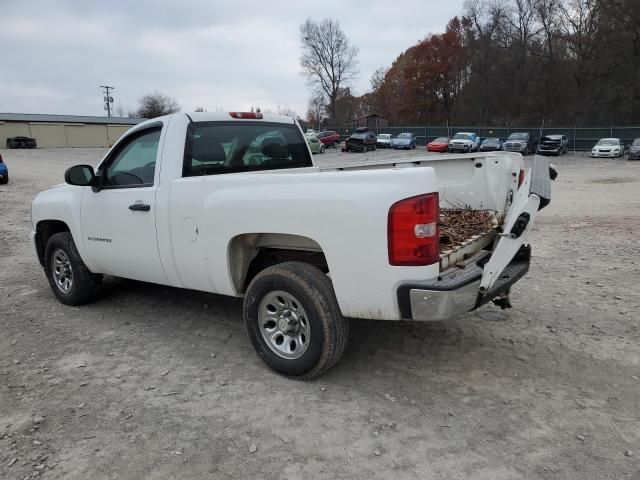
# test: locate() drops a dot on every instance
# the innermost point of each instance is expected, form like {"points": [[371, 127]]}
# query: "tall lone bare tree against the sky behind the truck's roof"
{"points": [[328, 59]]}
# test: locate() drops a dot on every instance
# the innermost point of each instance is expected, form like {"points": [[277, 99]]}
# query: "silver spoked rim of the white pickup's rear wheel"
{"points": [[284, 324]]}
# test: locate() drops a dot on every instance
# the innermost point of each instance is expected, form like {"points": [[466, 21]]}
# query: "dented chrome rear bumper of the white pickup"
{"points": [[456, 291]]}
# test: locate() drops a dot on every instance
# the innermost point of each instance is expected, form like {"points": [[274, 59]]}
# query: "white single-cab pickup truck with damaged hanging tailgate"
{"points": [[233, 204]]}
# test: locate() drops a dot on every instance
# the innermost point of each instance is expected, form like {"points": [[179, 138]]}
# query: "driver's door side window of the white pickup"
{"points": [[135, 163]]}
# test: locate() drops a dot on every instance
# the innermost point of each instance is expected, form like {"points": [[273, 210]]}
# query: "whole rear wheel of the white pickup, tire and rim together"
{"points": [[293, 320]]}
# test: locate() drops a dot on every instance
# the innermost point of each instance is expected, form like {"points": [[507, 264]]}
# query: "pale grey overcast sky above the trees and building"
{"points": [[220, 55]]}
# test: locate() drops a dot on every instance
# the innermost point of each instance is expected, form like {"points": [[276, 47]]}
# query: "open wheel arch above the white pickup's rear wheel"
{"points": [[250, 253]]}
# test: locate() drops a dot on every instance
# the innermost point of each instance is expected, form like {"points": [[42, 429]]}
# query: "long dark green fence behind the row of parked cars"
{"points": [[580, 138]]}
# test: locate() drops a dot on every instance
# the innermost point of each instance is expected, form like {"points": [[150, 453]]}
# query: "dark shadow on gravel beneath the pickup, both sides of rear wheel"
{"points": [[397, 341]]}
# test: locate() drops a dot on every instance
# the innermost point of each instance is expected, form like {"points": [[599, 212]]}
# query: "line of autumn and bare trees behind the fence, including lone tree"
{"points": [[501, 62]]}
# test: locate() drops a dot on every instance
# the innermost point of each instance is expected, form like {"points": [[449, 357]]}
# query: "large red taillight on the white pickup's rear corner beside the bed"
{"points": [[413, 232]]}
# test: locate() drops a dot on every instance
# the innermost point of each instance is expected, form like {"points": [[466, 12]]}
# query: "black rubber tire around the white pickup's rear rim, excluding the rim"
{"points": [[328, 329]]}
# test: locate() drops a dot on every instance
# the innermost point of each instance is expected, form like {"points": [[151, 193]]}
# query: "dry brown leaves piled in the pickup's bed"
{"points": [[459, 225]]}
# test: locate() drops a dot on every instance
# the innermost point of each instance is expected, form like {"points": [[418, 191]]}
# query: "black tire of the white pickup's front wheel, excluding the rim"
{"points": [[84, 285]]}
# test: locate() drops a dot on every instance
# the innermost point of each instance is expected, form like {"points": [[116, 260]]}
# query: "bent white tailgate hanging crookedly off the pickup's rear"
{"points": [[533, 195]]}
